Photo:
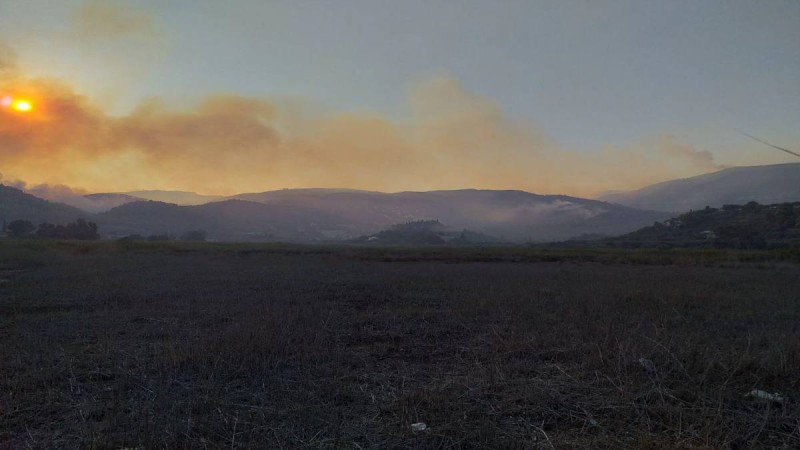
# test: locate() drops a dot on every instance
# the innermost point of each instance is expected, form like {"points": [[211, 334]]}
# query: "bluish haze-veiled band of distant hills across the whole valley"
{"points": [[338, 215]]}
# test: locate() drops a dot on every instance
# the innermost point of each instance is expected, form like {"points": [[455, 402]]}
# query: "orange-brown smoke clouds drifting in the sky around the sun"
{"points": [[229, 143]]}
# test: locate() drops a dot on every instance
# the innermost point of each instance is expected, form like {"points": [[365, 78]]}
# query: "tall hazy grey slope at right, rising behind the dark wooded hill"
{"points": [[737, 185]]}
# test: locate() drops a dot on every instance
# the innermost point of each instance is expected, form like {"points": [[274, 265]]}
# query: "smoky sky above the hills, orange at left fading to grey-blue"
{"points": [[571, 97]]}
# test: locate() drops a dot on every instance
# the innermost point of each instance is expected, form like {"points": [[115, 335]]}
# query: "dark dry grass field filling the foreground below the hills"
{"points": [[109, 345]]}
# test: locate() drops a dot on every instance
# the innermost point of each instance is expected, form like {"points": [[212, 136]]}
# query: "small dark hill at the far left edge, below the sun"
{"points": [[15, 204]]}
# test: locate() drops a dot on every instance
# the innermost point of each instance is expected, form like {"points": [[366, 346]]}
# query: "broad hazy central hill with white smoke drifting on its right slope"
{"points": [[506, 215]]}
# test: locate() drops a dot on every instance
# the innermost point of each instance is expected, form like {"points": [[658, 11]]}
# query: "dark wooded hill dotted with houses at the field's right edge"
{"points": [[734, 226]]}
